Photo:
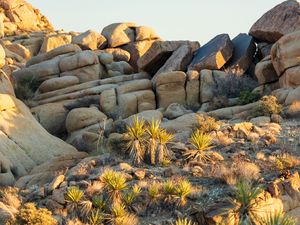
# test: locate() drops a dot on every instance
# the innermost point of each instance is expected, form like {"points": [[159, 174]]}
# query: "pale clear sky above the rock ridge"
{"points": [[197, 20]]}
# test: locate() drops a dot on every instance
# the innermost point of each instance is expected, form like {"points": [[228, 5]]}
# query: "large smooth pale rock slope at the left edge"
{"points": [[21, 151]]}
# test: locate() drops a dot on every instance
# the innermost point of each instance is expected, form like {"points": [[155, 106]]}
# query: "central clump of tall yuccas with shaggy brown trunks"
{"points": [[147, 141]]}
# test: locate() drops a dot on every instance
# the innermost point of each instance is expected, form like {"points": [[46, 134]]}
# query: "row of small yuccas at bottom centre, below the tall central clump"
{"points": [[170, 191]]}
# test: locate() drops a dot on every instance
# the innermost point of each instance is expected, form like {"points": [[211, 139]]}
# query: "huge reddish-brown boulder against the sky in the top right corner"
{"points": [[282, 19]]}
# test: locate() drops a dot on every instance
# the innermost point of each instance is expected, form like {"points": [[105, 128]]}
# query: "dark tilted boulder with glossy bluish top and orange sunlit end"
{"points": [[214, 54]]}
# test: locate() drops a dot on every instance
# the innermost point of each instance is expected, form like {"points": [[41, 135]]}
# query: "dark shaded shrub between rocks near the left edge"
{"points": [[26, 88]]}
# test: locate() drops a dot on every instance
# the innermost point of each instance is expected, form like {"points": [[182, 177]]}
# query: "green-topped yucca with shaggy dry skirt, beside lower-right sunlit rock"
{"points": [[244, 199]]}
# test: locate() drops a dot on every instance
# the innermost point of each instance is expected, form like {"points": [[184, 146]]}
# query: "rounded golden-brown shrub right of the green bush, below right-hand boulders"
{"points": [[267, 106]]}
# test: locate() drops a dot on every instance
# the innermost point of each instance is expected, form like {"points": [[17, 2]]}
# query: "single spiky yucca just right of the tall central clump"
{"points": [[201, 142]]}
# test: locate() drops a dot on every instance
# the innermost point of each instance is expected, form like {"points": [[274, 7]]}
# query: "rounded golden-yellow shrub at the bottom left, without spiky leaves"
{"points": [[29, 214]]}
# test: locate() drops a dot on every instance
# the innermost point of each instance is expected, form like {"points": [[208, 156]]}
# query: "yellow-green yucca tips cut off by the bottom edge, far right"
{"points": [[277, 218]]}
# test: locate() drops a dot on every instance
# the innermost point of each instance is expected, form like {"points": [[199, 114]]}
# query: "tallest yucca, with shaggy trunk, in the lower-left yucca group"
{"points": [[114, 184]]}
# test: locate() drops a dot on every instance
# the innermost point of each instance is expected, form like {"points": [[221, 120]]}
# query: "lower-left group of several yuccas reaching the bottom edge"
{"points": [[112, 206]]}
